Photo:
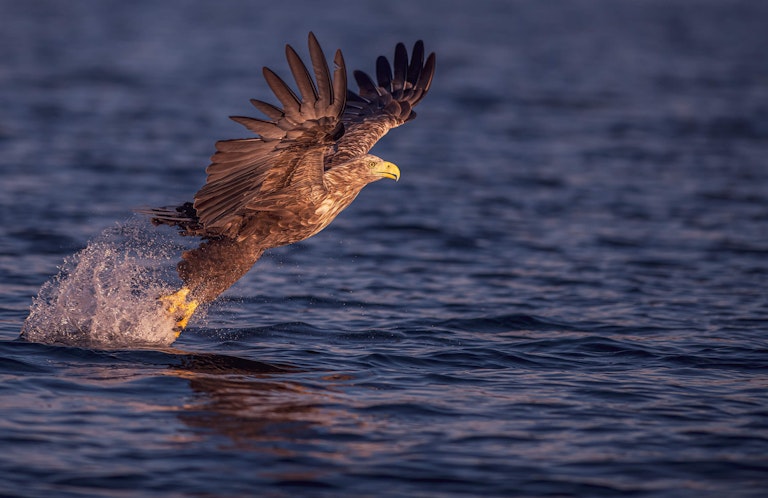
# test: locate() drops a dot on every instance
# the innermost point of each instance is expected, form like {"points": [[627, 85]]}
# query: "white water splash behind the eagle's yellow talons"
{"points": [[105, 296]]}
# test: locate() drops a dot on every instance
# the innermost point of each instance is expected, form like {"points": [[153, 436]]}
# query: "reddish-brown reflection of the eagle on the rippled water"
{"points": [[259, 409]]}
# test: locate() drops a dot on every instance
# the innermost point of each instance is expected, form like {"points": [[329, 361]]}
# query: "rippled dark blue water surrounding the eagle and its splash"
{"points": [[565, 294]]}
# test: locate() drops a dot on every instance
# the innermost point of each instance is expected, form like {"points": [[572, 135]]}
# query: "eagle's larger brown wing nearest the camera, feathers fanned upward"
{"points": [[288, 150]]}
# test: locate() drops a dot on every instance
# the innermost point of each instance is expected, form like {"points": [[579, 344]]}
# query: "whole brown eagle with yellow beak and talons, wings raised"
{"points": [[307, 163]]}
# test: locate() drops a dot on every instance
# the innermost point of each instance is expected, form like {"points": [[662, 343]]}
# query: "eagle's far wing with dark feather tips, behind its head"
{"points": [[385, 104]]}
